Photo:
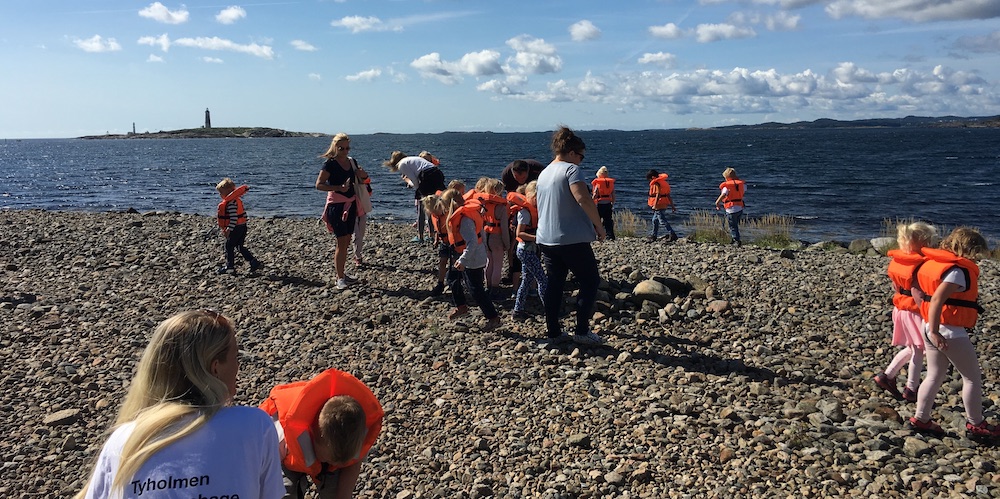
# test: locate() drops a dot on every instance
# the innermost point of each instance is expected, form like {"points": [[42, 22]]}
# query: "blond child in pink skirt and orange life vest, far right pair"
{"points": [[906, 322]]}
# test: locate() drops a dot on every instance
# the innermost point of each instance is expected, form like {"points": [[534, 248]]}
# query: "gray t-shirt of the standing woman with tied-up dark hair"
{"points": [[561, 220]]}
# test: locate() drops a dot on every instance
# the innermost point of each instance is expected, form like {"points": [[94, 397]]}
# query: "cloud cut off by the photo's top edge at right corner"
{"points": [[915, 10]]}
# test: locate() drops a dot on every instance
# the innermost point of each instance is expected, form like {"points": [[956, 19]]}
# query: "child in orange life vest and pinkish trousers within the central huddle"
{"points": [[495, 220]]}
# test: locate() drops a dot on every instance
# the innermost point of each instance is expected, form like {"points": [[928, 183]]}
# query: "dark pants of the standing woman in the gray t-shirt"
{"points": [[559, 261]]}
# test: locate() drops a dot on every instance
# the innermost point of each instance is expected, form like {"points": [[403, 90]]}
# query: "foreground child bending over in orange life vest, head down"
{"points": [[326, 427]]}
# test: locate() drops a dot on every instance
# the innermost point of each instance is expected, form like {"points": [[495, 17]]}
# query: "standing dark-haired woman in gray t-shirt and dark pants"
{"points": [[567, 223]]}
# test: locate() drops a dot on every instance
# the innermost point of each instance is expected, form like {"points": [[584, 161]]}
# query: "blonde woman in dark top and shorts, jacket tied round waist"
{"points": [[341, 211]]}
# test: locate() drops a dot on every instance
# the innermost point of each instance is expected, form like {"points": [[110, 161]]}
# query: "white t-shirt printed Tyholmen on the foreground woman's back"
{"points": [[234, 454]]}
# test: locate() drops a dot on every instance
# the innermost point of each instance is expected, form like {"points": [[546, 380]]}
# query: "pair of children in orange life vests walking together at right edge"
{"points": [[934, 308]]}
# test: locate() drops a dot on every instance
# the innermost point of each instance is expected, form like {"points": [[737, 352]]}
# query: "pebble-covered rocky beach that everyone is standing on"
{"points": [[749, 378]]}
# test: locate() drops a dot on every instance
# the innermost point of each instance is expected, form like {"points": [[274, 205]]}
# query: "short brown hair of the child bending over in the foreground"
{"points": [[342, 426]]}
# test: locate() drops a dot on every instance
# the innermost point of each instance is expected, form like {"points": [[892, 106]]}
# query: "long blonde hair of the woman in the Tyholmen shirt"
{"points": [[172, 383]]}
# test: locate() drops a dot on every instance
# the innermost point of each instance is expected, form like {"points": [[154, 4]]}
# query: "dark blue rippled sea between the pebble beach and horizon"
{"points": [[835, 184]]}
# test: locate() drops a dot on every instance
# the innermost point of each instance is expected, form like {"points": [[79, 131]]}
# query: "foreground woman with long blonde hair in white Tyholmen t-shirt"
{"points": [[175, 433]]}
